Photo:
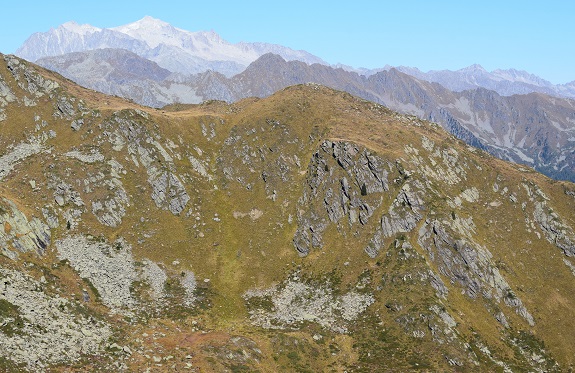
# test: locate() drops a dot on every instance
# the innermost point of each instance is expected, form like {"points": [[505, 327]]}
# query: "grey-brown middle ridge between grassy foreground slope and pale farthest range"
{"points": [[481, 117]]}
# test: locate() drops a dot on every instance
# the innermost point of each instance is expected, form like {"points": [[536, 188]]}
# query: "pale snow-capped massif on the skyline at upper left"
{"points": [[174, 49]]}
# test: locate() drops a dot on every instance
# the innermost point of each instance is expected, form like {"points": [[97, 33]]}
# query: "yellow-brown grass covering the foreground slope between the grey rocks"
{"points": [[238, 254]]}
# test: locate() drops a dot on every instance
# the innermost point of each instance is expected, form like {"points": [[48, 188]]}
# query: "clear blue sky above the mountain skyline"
{"points": [[532, 35]]}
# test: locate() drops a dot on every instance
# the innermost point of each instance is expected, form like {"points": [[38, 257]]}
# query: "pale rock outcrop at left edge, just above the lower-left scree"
{"points": [[20, 235]]}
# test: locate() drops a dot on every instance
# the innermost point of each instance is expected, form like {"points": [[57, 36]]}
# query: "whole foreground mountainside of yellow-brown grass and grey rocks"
{"points": [[308, 231]]}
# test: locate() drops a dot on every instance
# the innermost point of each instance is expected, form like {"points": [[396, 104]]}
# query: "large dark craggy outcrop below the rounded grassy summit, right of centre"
{"points": [[349, 181]]}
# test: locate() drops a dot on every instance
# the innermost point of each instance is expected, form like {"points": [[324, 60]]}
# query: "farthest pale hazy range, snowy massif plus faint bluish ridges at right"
{"points": [[188, 53]]}
